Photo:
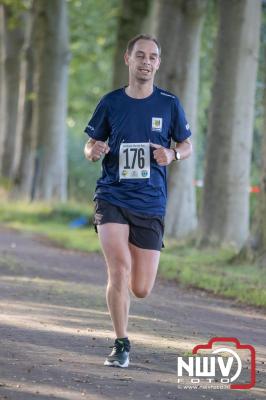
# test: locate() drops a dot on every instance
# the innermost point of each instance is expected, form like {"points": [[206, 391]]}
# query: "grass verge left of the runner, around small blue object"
{"points": [[53, 221]]}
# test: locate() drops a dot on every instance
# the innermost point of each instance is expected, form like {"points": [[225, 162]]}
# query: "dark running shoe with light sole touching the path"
{"points": [[119, 356]]}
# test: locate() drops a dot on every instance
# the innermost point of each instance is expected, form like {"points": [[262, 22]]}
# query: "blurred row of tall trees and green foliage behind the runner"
{"points": [[212, 59]]}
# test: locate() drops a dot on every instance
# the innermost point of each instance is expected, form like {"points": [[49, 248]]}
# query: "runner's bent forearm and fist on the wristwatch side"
{"points": [[165, 156]]}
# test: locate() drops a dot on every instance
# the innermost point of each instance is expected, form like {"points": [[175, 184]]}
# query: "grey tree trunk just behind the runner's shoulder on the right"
{"points": [[181, 22]]}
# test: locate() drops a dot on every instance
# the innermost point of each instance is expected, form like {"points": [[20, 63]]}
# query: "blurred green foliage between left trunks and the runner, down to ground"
{"points": [[92, 42]]}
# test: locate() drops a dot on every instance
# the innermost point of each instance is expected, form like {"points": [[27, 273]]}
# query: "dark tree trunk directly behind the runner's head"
{"points": [[130, 24]]}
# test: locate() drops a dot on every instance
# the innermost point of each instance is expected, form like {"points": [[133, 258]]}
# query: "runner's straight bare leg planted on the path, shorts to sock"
{"points": [[114, 242]]}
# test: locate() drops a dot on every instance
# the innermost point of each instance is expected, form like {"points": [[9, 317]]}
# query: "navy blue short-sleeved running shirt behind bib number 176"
{"points": [[121, 120]]}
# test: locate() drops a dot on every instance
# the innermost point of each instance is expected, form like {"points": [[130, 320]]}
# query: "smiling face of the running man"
{"points": [[144, 60]]}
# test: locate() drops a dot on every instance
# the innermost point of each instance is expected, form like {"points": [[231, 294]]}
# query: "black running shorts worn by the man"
{"points": [[145, 231]]}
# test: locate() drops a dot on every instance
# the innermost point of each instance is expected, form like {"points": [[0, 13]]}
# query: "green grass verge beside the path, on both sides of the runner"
{"points": [[208, 269]]}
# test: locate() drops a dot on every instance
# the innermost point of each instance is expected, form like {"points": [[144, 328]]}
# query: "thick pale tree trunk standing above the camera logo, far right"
{"points": [[225, 213]]}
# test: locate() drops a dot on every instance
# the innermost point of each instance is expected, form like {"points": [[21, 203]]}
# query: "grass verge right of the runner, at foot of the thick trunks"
{"points": [[212, 270]]}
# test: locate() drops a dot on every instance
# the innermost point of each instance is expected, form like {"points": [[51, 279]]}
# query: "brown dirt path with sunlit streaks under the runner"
{"points": [[55, 330]]}
